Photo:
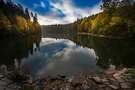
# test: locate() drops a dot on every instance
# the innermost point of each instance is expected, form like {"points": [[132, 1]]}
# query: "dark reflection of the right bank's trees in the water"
{"points": [[110, 51]]}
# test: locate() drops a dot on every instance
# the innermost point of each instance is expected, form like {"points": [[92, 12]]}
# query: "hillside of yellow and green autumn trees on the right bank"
{"points": [[116, 20]]}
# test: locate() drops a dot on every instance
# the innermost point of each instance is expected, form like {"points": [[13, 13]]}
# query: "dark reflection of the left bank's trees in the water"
{"points": [[18, 47]]}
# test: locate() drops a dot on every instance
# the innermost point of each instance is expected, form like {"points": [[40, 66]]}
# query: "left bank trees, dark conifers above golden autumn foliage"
{"points": [[15, 20]]}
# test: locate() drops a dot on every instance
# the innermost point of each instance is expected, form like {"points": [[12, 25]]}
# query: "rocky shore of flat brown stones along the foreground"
{"points": [[97, 81]]}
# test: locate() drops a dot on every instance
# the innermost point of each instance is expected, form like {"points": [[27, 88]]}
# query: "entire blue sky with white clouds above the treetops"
{"points": [[61, 11]]}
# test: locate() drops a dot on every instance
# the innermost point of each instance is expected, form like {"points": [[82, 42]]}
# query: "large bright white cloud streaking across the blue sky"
{"points": [[70, 11]]}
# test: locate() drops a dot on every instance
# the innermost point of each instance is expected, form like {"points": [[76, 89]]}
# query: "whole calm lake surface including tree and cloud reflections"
{"points": [[60, 54]]}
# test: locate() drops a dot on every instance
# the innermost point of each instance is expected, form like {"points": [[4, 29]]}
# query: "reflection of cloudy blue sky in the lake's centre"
{"points": [[61, 56]]}
